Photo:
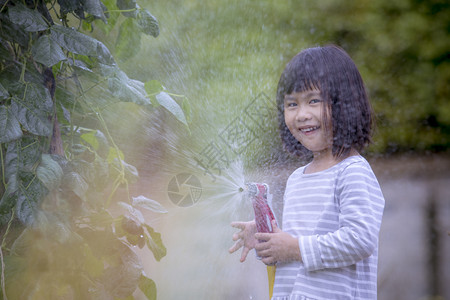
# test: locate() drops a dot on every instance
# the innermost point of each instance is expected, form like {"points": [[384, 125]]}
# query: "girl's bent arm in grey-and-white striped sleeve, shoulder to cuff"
{"points": [[361, 205]]}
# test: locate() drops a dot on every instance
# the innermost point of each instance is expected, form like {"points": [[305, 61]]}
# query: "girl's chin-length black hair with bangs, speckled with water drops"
{"points": [[330, 70]]}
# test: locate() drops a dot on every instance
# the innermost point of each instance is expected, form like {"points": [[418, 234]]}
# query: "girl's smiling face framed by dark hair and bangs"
{"points": [[303, 115]]}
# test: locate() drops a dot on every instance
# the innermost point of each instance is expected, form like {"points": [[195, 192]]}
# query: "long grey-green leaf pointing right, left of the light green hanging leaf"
{"points": [[79, 43]]}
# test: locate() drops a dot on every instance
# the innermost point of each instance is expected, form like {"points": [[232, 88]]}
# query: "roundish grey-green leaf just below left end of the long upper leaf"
{"points": [[47, 51]]}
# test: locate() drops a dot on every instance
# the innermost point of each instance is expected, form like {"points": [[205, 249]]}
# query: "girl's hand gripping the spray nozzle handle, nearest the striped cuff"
{"points": [[278, 246]]}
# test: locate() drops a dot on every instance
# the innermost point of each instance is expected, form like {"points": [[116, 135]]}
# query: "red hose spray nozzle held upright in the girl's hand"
{"points": [[258, 193]]}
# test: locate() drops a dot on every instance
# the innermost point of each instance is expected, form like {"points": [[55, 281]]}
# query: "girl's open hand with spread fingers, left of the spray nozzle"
{"points": [[244, 238]]}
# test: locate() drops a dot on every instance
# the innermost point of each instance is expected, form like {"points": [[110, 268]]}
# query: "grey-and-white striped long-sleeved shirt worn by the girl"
{"points": [[336, 214]]}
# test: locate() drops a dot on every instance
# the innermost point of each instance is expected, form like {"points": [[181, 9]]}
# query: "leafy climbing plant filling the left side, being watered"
{"points": [[63, 235]]}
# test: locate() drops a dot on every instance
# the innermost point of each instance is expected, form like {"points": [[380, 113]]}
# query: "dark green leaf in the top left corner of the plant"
{"points": [[28, 19]]}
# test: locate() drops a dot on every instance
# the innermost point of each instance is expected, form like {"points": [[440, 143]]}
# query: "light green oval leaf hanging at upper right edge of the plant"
{"points": [[128, 42]]}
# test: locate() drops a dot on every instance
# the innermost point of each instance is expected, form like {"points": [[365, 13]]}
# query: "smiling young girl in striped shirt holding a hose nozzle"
{"points": [[333, 206]]}
